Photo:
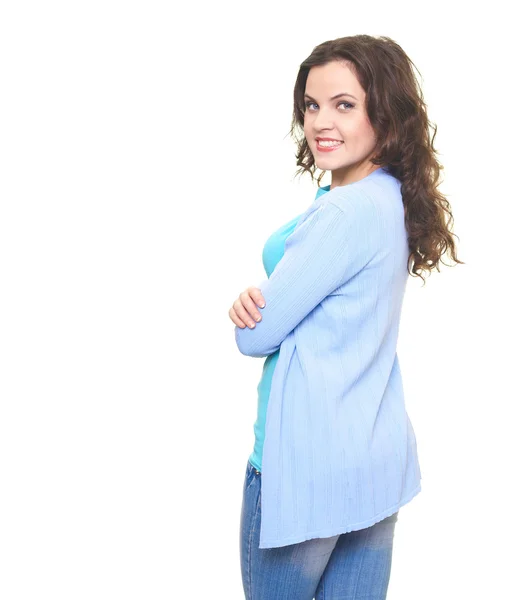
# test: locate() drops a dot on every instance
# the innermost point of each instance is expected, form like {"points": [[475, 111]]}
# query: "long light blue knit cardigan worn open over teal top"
{"points": [[339, 451]]}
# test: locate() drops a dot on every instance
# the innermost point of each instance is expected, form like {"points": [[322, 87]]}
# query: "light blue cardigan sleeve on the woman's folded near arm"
{"points": [[329, 247]]}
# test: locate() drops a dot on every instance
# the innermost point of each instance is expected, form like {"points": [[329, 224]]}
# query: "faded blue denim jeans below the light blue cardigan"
{"points": [[350, 566]]}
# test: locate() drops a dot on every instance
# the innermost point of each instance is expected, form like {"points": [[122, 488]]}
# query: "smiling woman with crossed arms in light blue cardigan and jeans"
{"points": [[335, 454]]}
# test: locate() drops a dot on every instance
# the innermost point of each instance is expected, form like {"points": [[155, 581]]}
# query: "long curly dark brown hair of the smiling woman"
{"points": [[397, 112]]}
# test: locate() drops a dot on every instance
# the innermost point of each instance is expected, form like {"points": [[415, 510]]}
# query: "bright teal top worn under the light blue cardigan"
{"points": [[273, 251]]}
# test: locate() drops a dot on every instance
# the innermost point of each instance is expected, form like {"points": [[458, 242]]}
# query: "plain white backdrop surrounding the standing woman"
{"points": [[144, 162]]}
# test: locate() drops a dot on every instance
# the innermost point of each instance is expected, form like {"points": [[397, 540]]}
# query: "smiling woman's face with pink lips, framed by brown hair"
{"points": [[331, 113]]}
